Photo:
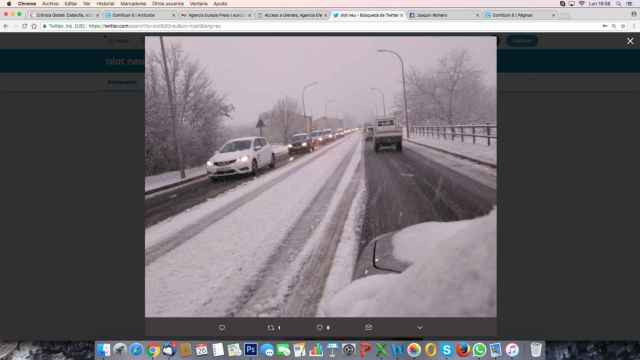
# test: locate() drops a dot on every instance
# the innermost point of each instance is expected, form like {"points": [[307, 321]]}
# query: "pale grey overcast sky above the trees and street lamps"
{"points": [[254, 72]]}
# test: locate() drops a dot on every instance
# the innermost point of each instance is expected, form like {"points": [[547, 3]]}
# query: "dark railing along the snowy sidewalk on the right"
{"points": [[474, 132]]}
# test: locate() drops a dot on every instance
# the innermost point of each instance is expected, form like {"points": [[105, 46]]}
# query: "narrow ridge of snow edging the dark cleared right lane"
{"points": [[347, 253]]}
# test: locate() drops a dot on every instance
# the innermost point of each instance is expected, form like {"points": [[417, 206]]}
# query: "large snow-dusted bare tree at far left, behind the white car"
{"points": [[183, 111]]}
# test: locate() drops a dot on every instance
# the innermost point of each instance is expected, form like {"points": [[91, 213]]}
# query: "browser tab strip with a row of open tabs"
{"points": [[337, 15]]}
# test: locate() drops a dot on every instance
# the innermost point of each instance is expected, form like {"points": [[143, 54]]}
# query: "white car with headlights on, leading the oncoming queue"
{"points": [[241, 156]]}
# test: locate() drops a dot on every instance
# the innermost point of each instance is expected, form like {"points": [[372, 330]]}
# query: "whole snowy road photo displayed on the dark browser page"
{"points": [[320, 176]]}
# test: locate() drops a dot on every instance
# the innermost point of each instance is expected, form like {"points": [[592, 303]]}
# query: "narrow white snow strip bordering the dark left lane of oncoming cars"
{"points": [[165, 229]]}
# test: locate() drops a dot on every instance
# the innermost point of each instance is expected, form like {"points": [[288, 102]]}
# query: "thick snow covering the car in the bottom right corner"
{"points": [[454, 274]]}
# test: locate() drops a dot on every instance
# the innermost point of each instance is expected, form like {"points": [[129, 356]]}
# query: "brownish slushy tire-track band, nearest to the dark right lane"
{"points": [[294, 274]]}
